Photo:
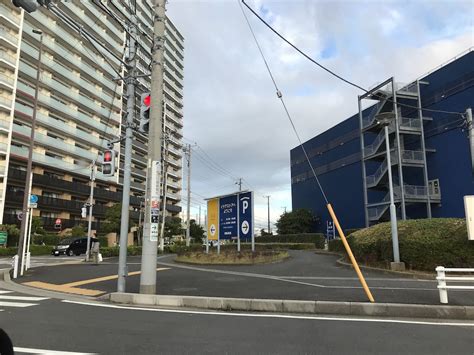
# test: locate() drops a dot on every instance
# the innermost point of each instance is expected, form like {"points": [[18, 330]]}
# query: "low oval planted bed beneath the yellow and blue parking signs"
{"points": [[245, 257]]}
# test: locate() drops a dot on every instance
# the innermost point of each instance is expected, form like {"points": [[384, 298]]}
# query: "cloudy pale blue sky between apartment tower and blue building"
{"points": [[231, 111]]}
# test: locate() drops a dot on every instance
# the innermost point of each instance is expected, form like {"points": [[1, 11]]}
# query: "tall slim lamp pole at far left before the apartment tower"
{"points": [[29, 164]]}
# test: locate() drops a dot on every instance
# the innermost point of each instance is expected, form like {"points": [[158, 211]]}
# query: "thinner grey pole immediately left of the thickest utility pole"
{"points": [[127, 167]]}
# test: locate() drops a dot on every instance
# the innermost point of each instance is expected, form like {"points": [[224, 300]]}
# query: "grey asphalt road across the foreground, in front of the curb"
{"points": [[55, 325]]}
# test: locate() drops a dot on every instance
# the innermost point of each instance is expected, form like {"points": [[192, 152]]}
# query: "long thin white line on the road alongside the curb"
{"points": [[282, 316]]}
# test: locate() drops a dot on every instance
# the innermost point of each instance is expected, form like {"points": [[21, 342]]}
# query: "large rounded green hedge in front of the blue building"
{"points": [[424, 244]]}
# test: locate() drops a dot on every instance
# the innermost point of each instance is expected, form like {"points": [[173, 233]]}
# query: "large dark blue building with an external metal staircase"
{"points": [[428, 160]]}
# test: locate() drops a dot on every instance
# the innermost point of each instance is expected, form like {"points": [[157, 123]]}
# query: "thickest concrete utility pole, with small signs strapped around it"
{"points": [[150, 241]]}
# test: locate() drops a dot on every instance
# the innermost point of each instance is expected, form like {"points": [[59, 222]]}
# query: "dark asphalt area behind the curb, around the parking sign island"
{"points": [[306, 276]]}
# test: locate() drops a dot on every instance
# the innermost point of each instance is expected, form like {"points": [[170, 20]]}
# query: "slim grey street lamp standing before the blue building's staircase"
{"points": [[384, 119]]}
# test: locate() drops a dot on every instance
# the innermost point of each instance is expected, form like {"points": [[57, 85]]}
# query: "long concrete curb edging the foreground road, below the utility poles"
{"points": [[395, 310]]}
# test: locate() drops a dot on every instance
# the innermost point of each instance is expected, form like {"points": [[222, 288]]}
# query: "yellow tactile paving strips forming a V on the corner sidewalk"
{"points": [[71, 287]]}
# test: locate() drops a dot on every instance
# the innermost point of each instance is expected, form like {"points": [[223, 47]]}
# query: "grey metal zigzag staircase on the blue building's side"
{"points": [[395, 108]]}
